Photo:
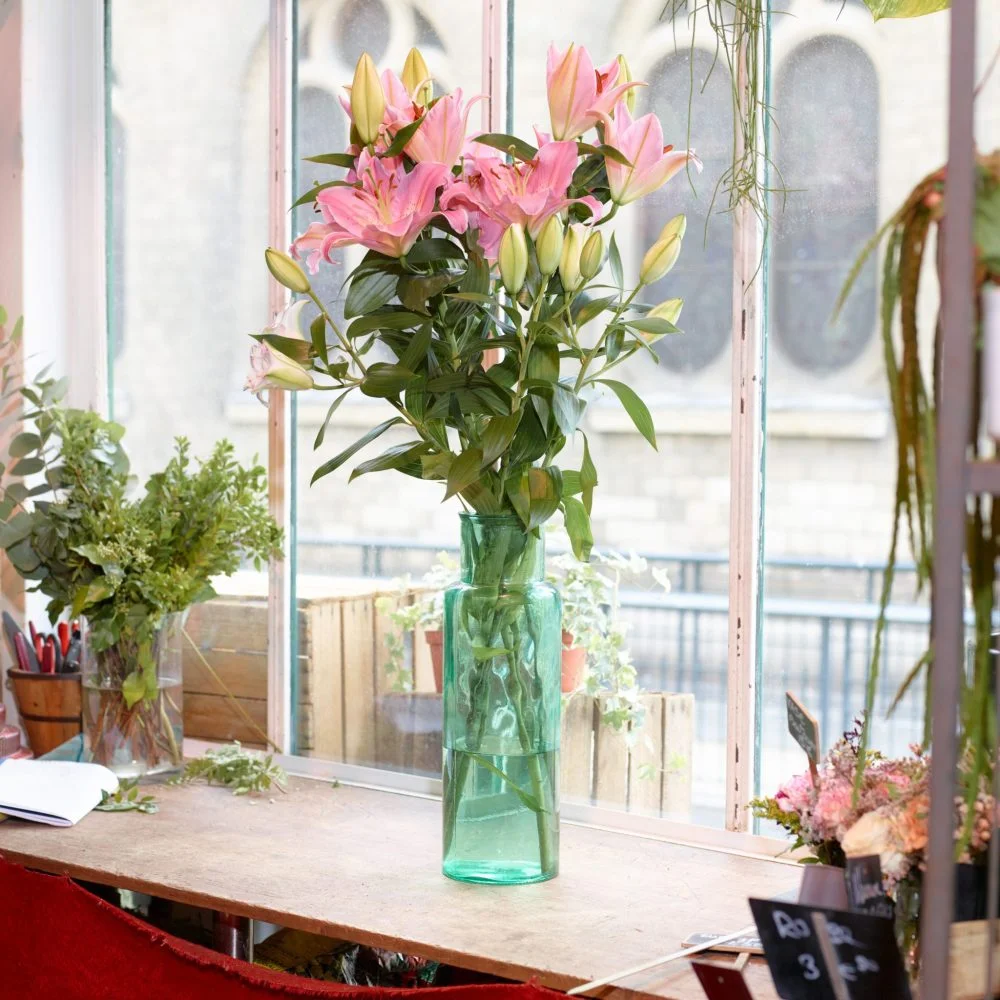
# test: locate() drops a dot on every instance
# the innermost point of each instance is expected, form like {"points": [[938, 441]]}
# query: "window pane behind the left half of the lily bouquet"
{"points": [[366, 687]]}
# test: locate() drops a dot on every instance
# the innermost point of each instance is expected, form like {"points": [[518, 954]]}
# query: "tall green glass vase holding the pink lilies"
{"points": [[502, 639]]}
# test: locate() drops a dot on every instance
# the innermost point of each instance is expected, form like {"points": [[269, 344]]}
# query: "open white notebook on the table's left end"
{"points": [[57, 792]]}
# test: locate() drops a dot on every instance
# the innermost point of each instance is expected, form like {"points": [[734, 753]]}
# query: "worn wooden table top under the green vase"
{"points": [[363, 865]]}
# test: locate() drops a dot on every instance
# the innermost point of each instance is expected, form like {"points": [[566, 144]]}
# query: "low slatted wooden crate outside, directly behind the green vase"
{"points": [[648, 771]]}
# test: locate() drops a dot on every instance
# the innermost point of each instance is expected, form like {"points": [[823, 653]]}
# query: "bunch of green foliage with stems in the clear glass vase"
{"points": [[71, 527]]}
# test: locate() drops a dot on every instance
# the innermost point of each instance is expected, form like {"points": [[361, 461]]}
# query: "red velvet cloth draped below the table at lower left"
{"points": [[59, 942]]}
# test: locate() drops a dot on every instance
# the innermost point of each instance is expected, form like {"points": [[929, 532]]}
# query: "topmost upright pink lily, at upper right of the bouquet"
{"points": [[579, 95]]}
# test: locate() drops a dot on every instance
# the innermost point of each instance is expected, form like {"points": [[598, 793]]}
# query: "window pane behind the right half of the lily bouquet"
{"points": [[670, 507]]}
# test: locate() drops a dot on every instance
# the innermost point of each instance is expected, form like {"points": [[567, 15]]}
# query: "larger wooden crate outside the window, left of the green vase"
{"points": [[340, 668]]}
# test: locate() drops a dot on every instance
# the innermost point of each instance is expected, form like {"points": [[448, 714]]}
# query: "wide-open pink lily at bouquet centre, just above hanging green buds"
{"points": [[497, 194]]}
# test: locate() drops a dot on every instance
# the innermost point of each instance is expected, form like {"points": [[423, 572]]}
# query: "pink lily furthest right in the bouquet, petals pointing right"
{"points": [[641, 141]]}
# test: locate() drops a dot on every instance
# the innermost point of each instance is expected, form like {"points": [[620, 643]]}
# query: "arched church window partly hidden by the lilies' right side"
{"points": [[704, 273]]}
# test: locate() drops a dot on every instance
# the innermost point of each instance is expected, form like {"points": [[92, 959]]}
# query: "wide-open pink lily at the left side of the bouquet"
{"points": [[386, 213]]}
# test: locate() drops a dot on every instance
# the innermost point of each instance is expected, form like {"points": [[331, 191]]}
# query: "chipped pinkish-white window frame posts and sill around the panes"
{"points": [[78, 155]]}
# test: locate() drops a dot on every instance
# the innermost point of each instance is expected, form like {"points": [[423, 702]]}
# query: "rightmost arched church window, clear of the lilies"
{"points": [[826, 149]]}
